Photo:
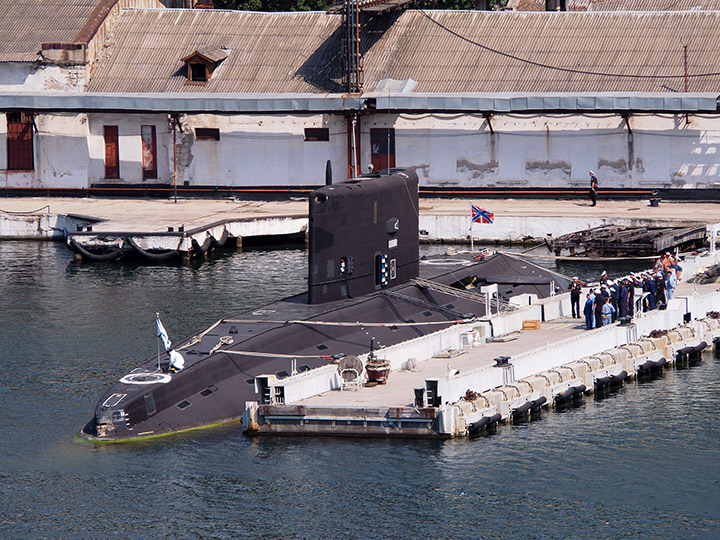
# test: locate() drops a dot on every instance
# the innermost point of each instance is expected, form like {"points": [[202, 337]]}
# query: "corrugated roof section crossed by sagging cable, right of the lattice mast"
{"points": [[448, 51]]}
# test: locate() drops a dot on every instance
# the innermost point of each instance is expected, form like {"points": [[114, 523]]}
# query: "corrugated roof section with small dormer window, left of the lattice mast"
{"points": [[267, 52]]}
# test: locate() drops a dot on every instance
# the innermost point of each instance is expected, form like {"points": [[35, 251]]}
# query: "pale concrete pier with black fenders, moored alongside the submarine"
{"points": [[471, 376]]}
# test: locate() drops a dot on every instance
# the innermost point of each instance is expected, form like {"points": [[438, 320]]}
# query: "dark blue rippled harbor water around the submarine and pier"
{"points": [[642, 462]]}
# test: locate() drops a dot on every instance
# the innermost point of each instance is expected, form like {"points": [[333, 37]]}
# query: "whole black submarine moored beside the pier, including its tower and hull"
{"points": [[366, 290]]}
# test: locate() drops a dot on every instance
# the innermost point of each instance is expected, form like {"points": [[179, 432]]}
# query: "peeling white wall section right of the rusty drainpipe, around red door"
{"points": [[556, 150]]}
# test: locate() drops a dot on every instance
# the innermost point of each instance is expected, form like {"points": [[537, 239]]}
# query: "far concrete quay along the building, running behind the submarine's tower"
{"points": [[440, 219]]}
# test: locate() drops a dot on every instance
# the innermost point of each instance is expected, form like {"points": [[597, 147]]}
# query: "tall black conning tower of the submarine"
{"points": [[363, 235]]}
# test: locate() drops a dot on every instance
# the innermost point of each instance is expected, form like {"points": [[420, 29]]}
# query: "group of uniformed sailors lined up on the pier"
{"points": [[612, 300]]}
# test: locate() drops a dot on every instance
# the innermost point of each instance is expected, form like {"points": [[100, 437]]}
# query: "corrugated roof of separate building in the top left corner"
{"points": [[26, 24]]}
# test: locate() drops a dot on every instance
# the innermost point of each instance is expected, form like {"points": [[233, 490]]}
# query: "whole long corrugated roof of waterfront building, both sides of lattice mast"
{"points": [[445, 51]]}
